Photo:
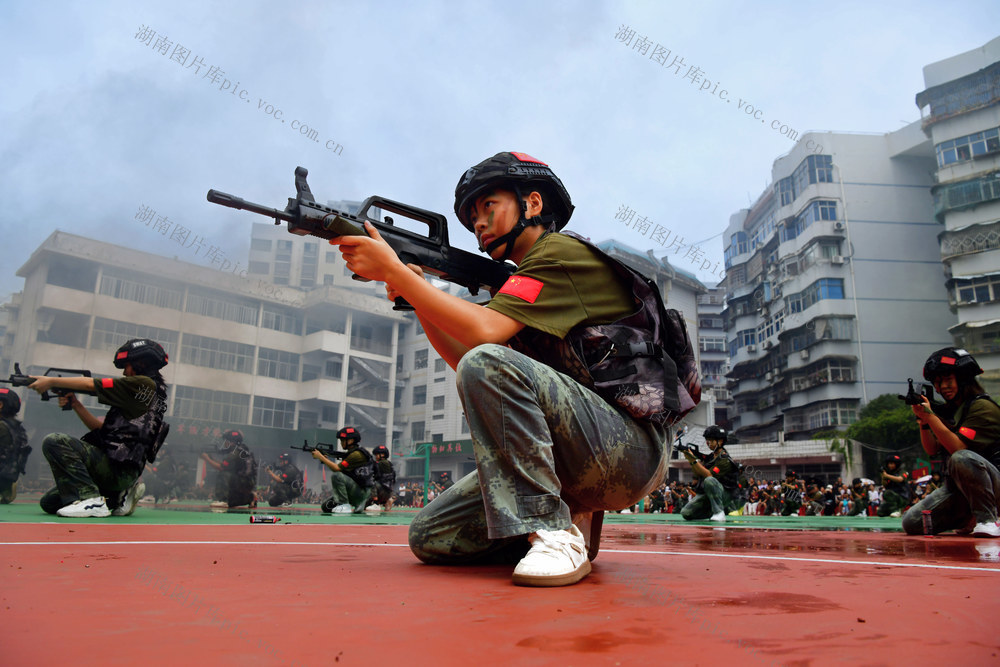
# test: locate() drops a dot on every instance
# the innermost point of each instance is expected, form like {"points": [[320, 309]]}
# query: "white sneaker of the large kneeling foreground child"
{"points": [[556, 558]]}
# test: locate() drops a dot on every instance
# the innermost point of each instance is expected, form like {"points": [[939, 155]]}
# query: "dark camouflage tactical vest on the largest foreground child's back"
{"points": [[643, 362]]}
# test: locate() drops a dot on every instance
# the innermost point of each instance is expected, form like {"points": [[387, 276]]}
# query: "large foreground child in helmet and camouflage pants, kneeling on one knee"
{"points": [[551, 454]]}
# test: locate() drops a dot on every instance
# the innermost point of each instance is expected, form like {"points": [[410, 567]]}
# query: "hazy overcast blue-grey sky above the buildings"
{"points": [[99, 117]]}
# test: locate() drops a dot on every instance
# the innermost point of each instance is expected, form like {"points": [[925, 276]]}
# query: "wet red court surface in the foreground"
{"points": [[337, 594]]}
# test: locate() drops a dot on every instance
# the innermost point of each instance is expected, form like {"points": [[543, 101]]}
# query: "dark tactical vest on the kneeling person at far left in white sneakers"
{"points": [[127, 440]]}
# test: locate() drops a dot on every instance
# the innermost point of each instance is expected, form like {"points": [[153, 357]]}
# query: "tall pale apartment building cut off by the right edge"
{"points": [[961, 115]]}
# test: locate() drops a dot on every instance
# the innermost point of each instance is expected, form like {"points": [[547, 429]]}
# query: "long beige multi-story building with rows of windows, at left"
{"points": [[282, 366]]}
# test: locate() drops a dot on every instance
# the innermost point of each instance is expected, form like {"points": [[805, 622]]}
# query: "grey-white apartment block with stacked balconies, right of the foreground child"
{"points": [[831, 282]]}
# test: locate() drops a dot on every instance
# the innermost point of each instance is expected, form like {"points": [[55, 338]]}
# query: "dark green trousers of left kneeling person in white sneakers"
{"points": [[82, 471]]}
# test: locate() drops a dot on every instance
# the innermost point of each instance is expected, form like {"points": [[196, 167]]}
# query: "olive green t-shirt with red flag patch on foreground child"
{"points": [[560, 284]]}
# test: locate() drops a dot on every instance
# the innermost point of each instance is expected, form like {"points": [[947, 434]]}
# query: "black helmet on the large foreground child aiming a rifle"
{"points": [[513, 170]]}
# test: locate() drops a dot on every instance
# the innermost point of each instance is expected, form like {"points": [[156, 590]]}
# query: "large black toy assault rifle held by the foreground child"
{"points": [[431, 252]]}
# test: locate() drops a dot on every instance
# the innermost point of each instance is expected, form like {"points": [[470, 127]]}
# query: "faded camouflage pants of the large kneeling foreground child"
{"points": [[546, 448]]}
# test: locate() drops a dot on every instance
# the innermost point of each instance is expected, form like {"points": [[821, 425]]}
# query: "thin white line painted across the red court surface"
{"points": [[704, 554]]}
